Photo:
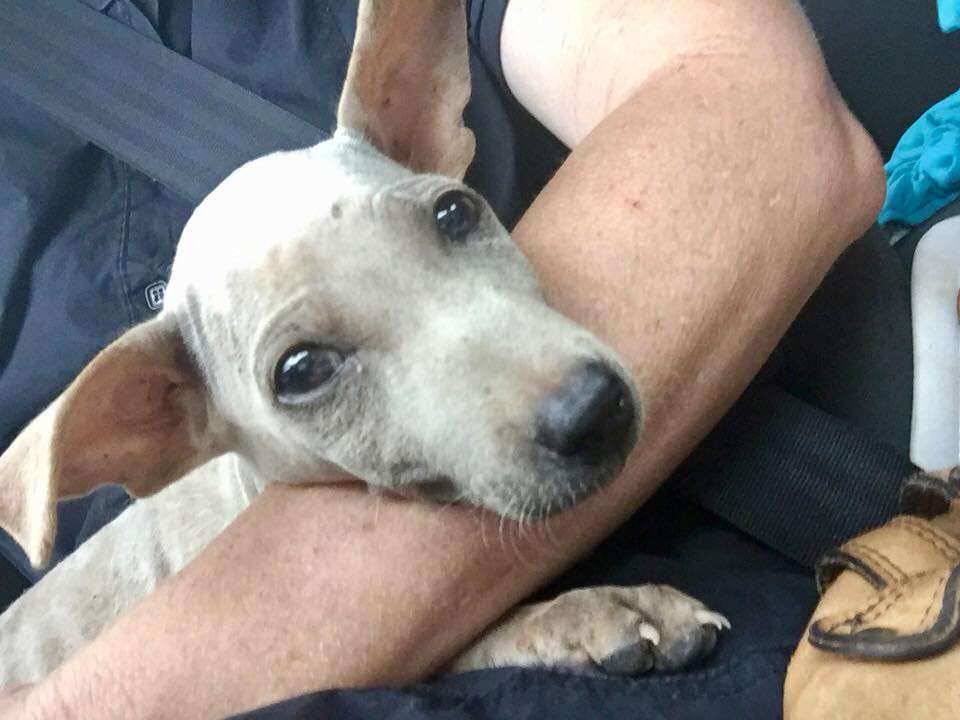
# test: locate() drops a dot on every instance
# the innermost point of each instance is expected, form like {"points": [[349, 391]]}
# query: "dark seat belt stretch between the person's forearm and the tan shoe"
{"points": [[792, 476]]}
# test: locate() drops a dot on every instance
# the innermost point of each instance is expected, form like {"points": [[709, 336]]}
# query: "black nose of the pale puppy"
{"points": [[590, 417]]}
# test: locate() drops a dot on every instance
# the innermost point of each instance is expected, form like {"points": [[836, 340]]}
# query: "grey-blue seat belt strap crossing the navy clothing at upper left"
{"points": [[165, 115]]}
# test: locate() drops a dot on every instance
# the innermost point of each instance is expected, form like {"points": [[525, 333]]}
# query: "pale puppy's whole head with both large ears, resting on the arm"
{"points": [[348, 307]]}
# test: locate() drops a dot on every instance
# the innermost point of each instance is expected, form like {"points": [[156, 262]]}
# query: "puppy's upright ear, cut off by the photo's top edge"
{"points": [[409, 81]]}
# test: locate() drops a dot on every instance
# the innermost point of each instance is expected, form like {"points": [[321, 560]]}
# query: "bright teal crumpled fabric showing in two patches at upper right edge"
{"points": [[923, 174]]}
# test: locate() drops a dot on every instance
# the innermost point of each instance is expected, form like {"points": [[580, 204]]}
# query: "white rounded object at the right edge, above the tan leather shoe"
{"points": [[935, 433]]}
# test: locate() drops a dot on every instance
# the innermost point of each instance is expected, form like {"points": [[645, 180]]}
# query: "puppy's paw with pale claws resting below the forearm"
{"points": [[603, 630]]}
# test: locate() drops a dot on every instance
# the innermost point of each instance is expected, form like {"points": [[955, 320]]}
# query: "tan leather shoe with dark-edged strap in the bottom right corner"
{"points": [[885, 640]]}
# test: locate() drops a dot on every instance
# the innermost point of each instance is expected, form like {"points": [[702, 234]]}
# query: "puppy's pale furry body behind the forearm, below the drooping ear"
{"points": [[115, 569]]}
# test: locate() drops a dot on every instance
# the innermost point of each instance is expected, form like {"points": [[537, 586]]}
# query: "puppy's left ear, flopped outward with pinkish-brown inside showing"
{"points": [[137, 416]]}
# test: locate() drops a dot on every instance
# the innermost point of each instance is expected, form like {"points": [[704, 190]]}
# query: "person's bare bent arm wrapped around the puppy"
{"points": [[716, 175]]}
